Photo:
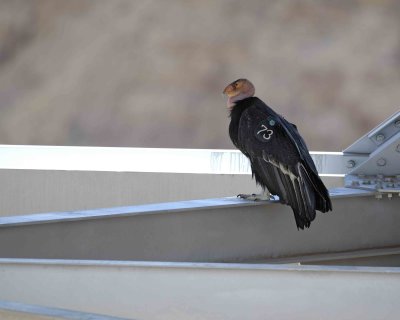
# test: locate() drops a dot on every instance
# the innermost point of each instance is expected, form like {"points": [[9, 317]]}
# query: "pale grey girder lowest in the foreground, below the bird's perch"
{"points": [[175, 291]]}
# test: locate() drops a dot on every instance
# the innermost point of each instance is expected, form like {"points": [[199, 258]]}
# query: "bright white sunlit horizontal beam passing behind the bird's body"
{"points": [[205, 161]]}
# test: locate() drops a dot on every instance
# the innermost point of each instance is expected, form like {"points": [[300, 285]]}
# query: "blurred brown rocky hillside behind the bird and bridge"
{"points": [[150, 73]]}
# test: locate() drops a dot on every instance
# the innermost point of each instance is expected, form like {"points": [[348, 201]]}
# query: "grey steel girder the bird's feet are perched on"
{"points": [[211, 230]]}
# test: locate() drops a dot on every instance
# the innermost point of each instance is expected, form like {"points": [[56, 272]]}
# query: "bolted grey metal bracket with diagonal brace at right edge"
{"points": [[374, 159]]}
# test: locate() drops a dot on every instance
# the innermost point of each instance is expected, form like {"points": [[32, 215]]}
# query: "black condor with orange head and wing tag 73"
{"points": [[280, 161]]}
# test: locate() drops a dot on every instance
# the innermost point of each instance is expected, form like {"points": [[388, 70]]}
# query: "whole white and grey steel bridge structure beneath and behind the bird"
{"points": [[136, 233]]}
